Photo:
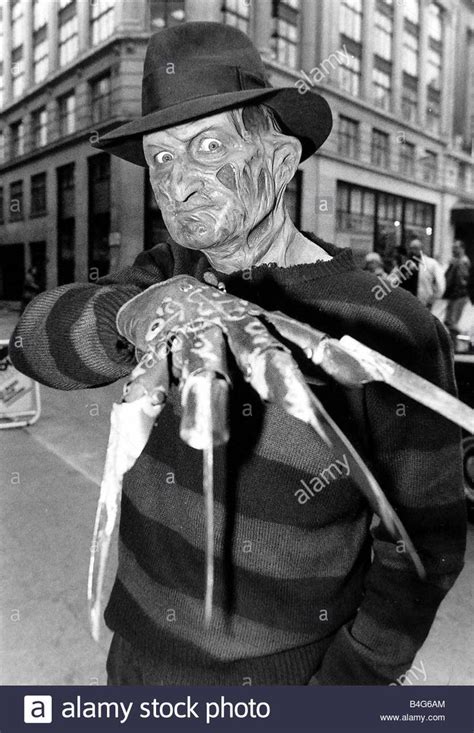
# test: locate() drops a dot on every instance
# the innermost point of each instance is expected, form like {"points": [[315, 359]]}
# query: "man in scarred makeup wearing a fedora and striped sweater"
{"points": [[305, 592]]}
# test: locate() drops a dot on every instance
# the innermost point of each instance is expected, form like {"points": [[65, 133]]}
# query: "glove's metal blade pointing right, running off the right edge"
{"points": [[383, 369]]}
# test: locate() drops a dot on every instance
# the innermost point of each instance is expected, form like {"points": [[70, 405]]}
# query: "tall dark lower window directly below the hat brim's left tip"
{"points": [[99, 213]]}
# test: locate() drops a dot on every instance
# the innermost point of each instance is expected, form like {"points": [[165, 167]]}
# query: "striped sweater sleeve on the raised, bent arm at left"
{"points": [[67, 337]]}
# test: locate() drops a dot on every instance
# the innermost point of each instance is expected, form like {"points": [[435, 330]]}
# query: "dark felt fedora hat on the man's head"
{"points": [[194, 70]]}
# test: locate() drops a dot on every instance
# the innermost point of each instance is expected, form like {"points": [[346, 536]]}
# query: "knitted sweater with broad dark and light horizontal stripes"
{"points": [[305, 592]]}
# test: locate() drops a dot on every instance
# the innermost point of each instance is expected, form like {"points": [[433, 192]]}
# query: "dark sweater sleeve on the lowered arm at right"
{"points": [[416, 458]]}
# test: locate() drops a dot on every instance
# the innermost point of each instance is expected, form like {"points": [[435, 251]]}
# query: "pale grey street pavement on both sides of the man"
{"points": [[49, 488]]}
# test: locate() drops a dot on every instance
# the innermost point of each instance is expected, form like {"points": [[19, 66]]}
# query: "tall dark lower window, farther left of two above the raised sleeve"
{"points": [[66, 224]]}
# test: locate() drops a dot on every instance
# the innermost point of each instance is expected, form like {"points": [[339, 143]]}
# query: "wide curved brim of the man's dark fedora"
{"points": [[305, 116]]}
